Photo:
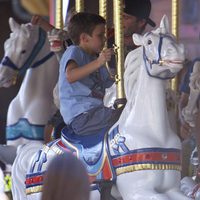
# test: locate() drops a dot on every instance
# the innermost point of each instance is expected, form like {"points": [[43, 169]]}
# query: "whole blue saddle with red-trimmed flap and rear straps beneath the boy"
{"points": [[91, 150]]}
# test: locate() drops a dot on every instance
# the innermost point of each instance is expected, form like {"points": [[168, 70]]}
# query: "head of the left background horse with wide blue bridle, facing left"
{"points": [[19, 51]]}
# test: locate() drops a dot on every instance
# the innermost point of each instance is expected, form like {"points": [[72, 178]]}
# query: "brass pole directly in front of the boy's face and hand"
{"points": [[119, 42]]}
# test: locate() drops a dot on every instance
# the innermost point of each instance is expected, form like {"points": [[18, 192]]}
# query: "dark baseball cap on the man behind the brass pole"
{"points": [[140, 9]]}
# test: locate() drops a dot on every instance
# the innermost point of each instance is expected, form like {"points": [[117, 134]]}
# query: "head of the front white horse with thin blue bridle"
{"points": [[163, 55]]}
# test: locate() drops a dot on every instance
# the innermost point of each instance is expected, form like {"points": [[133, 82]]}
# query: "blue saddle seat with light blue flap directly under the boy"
{"points": [[90, 147]]}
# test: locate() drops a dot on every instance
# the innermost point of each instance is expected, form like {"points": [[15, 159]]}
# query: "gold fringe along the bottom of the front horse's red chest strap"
{"points": [[133, 168]]}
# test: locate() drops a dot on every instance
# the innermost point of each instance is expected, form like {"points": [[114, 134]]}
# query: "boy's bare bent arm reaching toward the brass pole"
{"points": [[75, 73]]}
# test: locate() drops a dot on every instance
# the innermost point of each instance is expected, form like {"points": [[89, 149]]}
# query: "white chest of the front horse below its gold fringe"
{"points": [[149, 188]]}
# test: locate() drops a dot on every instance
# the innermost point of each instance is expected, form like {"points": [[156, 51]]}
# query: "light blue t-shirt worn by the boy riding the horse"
{"points": [[76, 98]]}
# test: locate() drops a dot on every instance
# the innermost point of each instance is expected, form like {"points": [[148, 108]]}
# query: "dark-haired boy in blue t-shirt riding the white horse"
{"points": [[83, 77]]}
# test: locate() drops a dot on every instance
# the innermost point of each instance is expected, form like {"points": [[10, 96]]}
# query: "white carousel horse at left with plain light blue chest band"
{"points": [[27, 50]]}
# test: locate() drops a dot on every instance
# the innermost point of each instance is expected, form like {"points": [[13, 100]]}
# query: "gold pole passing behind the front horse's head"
{"points": [[175, 28]]}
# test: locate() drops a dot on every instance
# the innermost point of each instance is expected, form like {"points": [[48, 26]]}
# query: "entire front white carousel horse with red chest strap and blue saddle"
{"points": [[140, 153]]}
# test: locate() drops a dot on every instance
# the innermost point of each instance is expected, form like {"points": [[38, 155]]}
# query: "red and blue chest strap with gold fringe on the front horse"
{"points": [[148, 159]]}
